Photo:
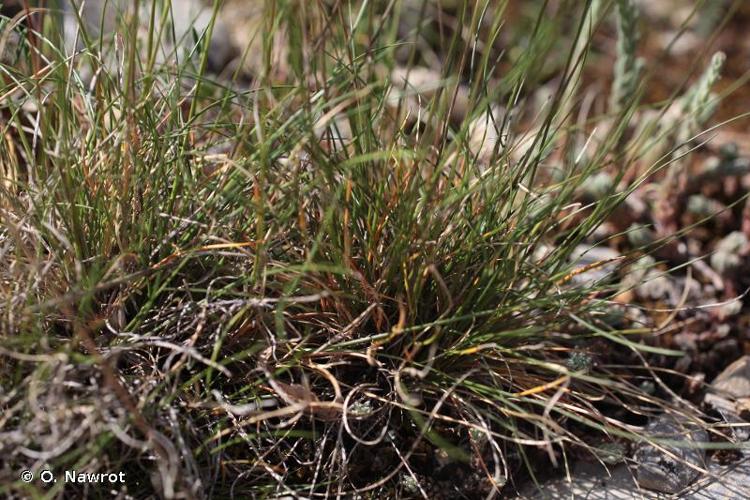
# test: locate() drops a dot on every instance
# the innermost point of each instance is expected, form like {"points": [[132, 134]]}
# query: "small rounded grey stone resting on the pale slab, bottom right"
{"points": [[674, 471]]}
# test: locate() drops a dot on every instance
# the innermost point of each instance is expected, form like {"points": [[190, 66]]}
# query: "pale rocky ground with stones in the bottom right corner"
{"points": [[708, 458]]}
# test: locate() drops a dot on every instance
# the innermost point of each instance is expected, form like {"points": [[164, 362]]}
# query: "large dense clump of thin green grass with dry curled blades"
{"points": [[324, 282]]}
